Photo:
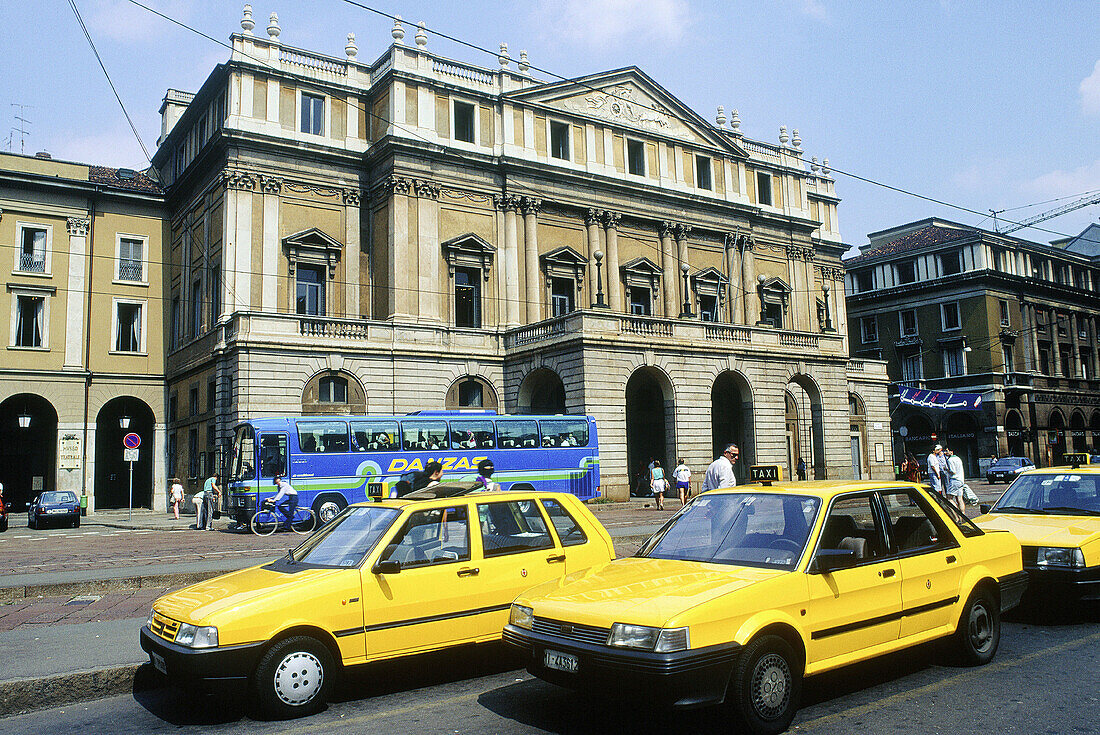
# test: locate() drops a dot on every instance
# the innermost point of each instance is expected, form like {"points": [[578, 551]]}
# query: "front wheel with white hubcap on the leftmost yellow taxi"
{"points": [[293, 678]]}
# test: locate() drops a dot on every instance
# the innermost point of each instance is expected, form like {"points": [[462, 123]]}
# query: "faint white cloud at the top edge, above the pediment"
{"points": [[612, 23]]}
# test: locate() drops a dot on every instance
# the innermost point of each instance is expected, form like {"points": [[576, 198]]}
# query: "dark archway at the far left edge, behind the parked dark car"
{"points": [[28, 448]]}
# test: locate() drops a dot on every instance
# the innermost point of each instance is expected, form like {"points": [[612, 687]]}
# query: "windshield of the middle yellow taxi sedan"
{"points": [[751, 530]]}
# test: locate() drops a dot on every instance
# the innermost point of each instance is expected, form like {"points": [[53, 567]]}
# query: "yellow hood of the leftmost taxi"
{"points": [[201, 602]]}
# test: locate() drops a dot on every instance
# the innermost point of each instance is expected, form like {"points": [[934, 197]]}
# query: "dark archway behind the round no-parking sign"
{"points": [[113, 475]]}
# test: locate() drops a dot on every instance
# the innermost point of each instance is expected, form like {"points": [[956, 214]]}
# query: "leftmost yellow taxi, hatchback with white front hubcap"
{"points": [[382, 580]]}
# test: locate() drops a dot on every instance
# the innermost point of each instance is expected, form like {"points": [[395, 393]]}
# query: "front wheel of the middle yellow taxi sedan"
{"points": [[766, 686]]}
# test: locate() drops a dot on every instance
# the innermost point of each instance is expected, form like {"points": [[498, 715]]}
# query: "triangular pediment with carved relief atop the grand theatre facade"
{"points": [[628, 98]]}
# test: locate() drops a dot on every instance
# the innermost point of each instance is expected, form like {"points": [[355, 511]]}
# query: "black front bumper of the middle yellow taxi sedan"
{"points": [[684, 679]]}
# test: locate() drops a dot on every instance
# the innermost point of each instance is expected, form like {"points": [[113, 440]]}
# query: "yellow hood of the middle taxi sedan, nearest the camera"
{"points": [[642, 591]]}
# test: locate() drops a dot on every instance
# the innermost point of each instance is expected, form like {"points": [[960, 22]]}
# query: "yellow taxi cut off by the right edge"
{"points": [[1055, 513]]}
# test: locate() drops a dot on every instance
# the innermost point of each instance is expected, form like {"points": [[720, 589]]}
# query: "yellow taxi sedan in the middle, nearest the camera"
{"points": [[747, 590]]}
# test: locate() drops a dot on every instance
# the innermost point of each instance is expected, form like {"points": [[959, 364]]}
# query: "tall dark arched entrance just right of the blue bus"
{"points": [[650, 416]]}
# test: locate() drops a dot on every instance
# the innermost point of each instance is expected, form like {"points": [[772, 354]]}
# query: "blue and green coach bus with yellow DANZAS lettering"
{"points": [[337, 460]]}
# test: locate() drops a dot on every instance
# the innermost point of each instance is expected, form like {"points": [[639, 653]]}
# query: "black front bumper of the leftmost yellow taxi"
{"points": [[225, 664]]}
